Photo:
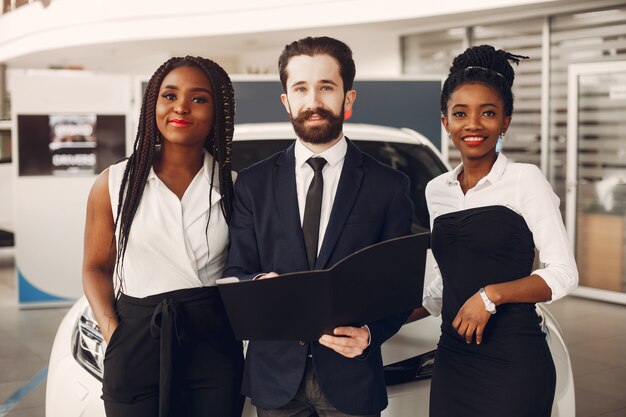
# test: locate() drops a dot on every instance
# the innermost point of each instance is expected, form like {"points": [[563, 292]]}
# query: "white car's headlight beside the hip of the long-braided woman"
{"points": [[88, 345]]}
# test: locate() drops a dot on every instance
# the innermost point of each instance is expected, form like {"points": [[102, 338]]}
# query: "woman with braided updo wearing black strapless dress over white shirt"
{"points": [[488, 216]]}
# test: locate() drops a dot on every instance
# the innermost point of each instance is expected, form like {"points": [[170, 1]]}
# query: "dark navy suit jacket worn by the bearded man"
{"points": [[372, 204]]}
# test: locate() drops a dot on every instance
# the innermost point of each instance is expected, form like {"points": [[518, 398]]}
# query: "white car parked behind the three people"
{"points": [[75, 369]]}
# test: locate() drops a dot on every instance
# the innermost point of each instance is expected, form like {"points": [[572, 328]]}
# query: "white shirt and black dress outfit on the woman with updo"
{"points": [[488, 236]]}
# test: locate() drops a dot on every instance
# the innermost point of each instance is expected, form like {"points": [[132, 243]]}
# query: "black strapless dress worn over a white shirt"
{"points": [[511, 373]]}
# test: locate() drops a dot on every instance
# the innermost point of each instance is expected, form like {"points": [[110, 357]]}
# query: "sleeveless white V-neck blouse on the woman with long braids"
{"points": [[170, 247]]}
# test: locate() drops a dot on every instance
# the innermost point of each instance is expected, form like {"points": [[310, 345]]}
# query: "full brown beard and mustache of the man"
{"points": [[321, 133]]}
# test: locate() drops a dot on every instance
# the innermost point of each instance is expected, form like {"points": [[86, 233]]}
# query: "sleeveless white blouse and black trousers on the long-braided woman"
{"points": [[173, 353]]}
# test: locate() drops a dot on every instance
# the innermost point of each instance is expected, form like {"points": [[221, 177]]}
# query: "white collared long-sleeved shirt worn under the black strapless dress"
{"points": [[523, 189]]}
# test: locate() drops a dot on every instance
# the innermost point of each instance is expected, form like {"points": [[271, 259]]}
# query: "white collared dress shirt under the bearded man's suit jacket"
{"points": [[331, 173]]}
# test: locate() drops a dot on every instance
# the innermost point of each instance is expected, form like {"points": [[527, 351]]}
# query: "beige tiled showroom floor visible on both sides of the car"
{"points": [[595, 333]]}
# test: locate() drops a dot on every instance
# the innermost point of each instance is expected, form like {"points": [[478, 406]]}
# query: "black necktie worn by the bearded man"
{"points": [[313, 209]]}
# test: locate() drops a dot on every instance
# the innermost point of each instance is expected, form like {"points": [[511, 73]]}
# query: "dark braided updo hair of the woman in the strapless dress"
{"points": [[486, 65]]}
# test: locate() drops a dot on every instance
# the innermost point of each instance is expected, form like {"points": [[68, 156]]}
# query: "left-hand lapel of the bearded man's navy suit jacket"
{"points": [[286, 198]]}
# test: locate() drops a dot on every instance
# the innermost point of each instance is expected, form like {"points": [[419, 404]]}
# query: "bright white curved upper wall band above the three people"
{"points": [[32, 29]]}
